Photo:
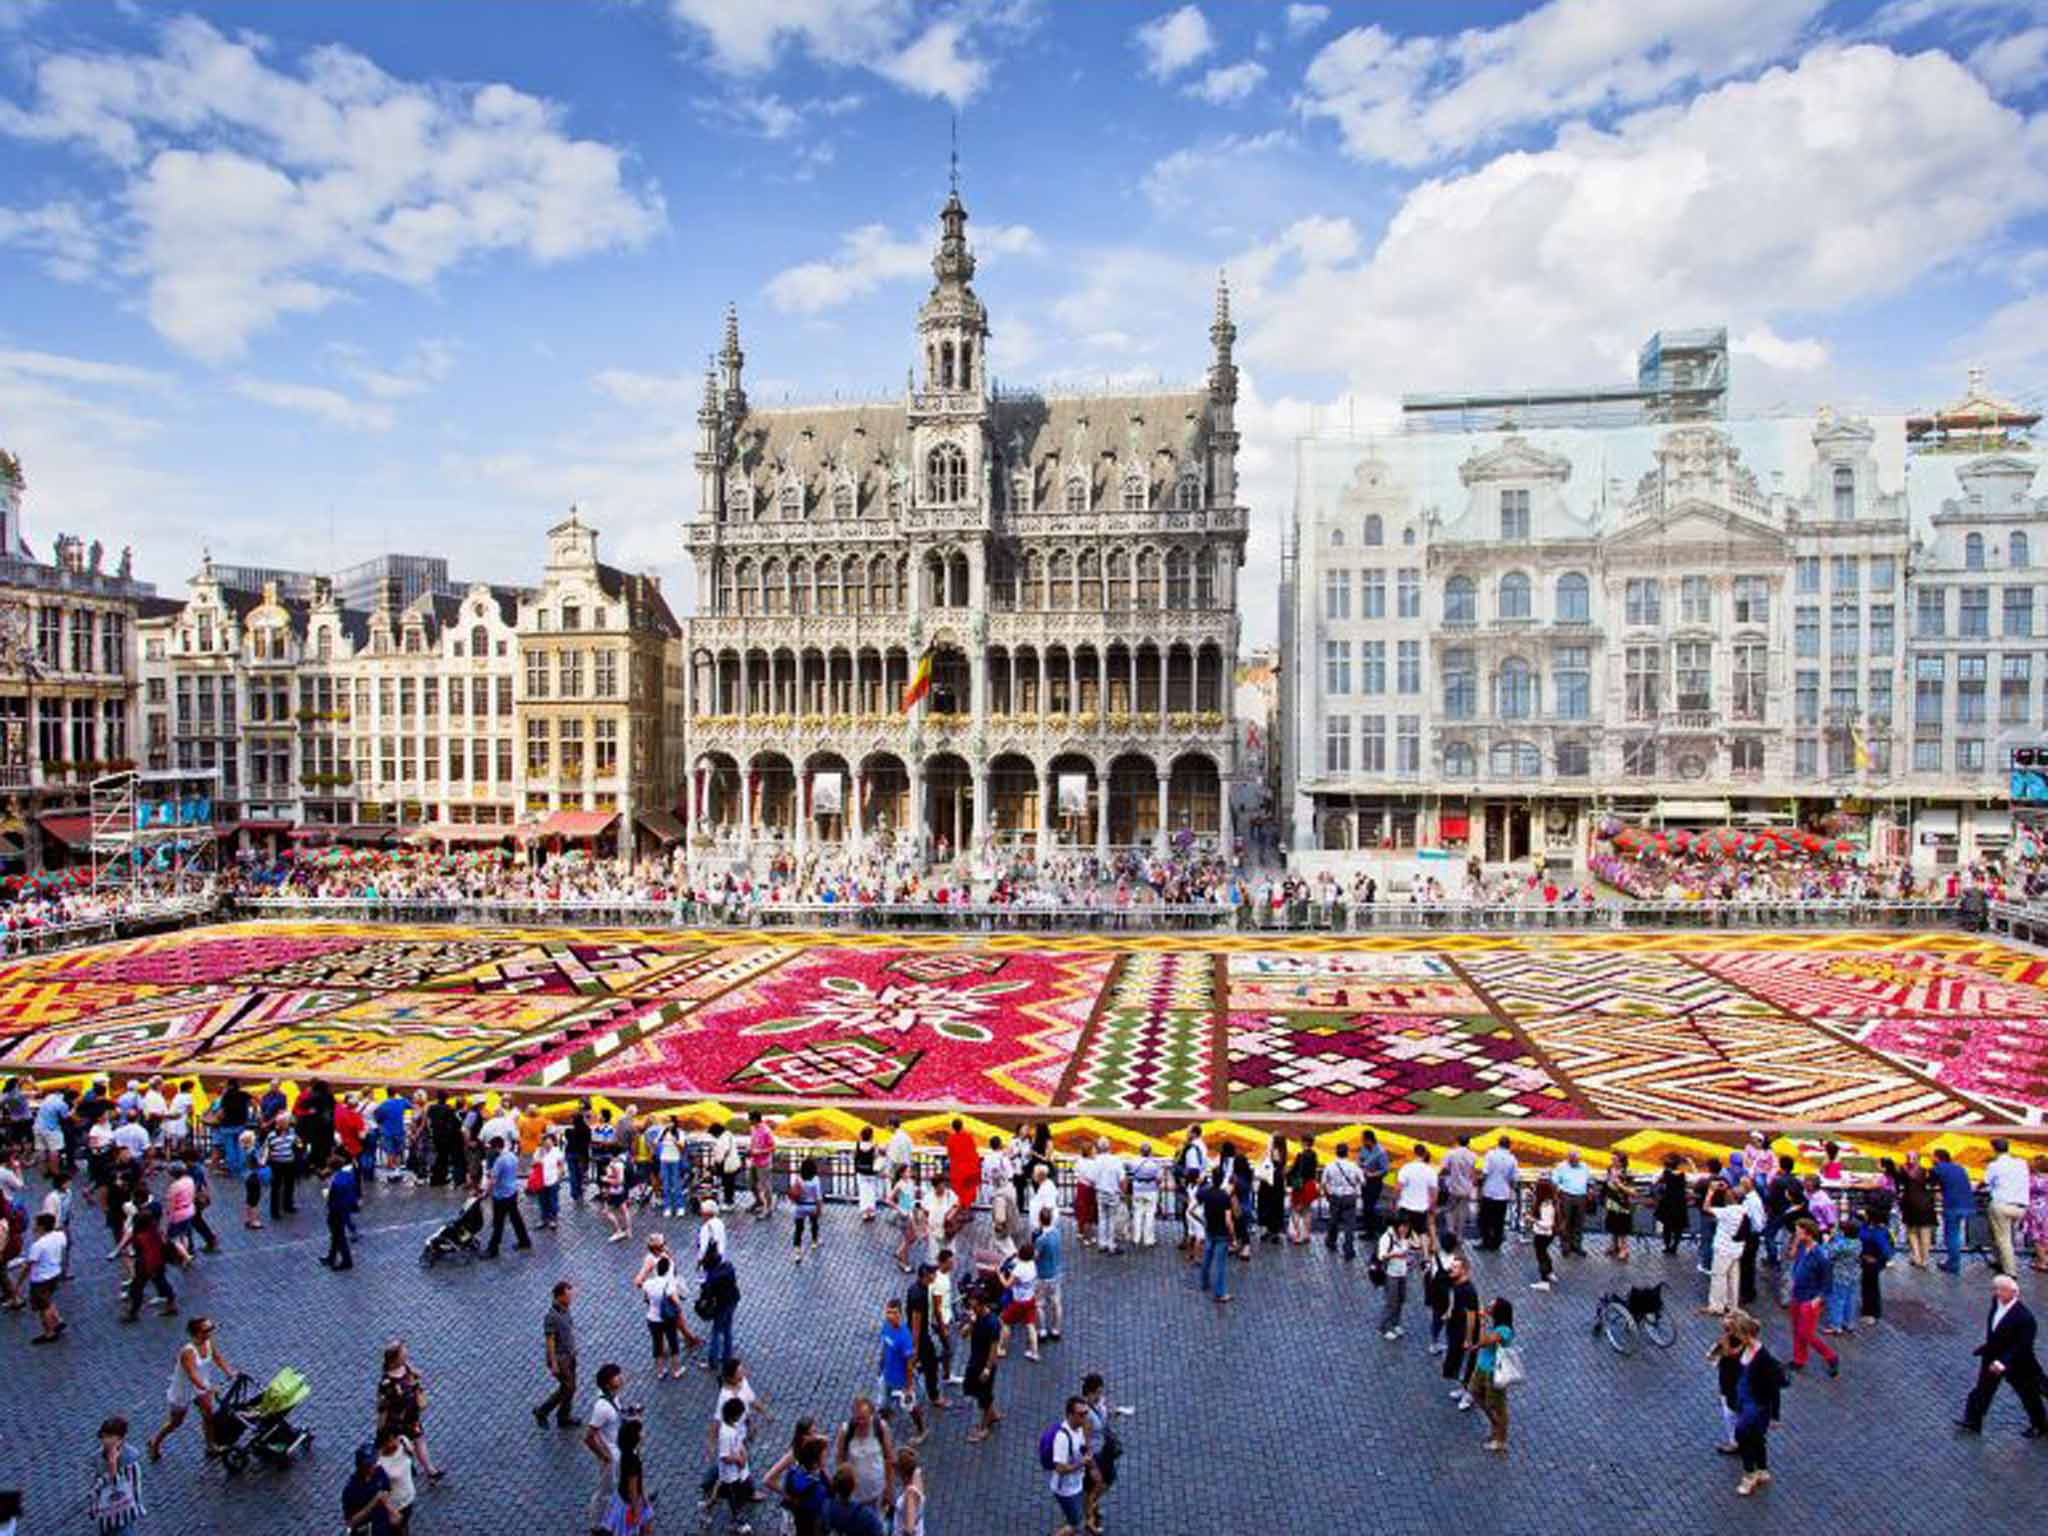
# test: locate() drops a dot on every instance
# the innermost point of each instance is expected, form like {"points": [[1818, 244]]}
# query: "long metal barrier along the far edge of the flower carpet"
{"points": [[980, 916]]}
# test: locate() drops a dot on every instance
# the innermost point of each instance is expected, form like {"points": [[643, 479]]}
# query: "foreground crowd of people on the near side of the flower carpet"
{"points": [[982, 1238]]}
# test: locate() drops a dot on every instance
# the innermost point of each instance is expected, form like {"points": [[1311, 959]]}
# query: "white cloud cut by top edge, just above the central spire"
{"points": [[886, 38]]}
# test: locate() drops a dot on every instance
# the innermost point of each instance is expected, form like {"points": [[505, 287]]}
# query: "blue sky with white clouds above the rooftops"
{"points": [[300, 284]]}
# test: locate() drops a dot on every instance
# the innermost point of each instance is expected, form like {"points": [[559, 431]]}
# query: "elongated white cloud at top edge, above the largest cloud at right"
{"points": [[1418, 99]]}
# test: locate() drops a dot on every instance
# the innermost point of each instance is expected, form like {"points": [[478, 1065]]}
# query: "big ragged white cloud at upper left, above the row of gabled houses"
{"points": [[261, 191]]}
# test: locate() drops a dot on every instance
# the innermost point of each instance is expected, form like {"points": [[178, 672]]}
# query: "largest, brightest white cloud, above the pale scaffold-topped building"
{"points": [[1799, 194]]}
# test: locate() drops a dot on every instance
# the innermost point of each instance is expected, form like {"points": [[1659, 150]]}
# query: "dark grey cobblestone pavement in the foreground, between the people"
{"points": [[1283, 1412]]}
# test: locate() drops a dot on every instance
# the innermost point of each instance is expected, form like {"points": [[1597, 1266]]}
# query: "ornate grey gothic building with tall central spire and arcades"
{"points": [[1068, 564]]}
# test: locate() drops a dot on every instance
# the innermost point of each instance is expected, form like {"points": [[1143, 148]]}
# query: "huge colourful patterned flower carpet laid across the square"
{"points": [[1682, 1029]]}
